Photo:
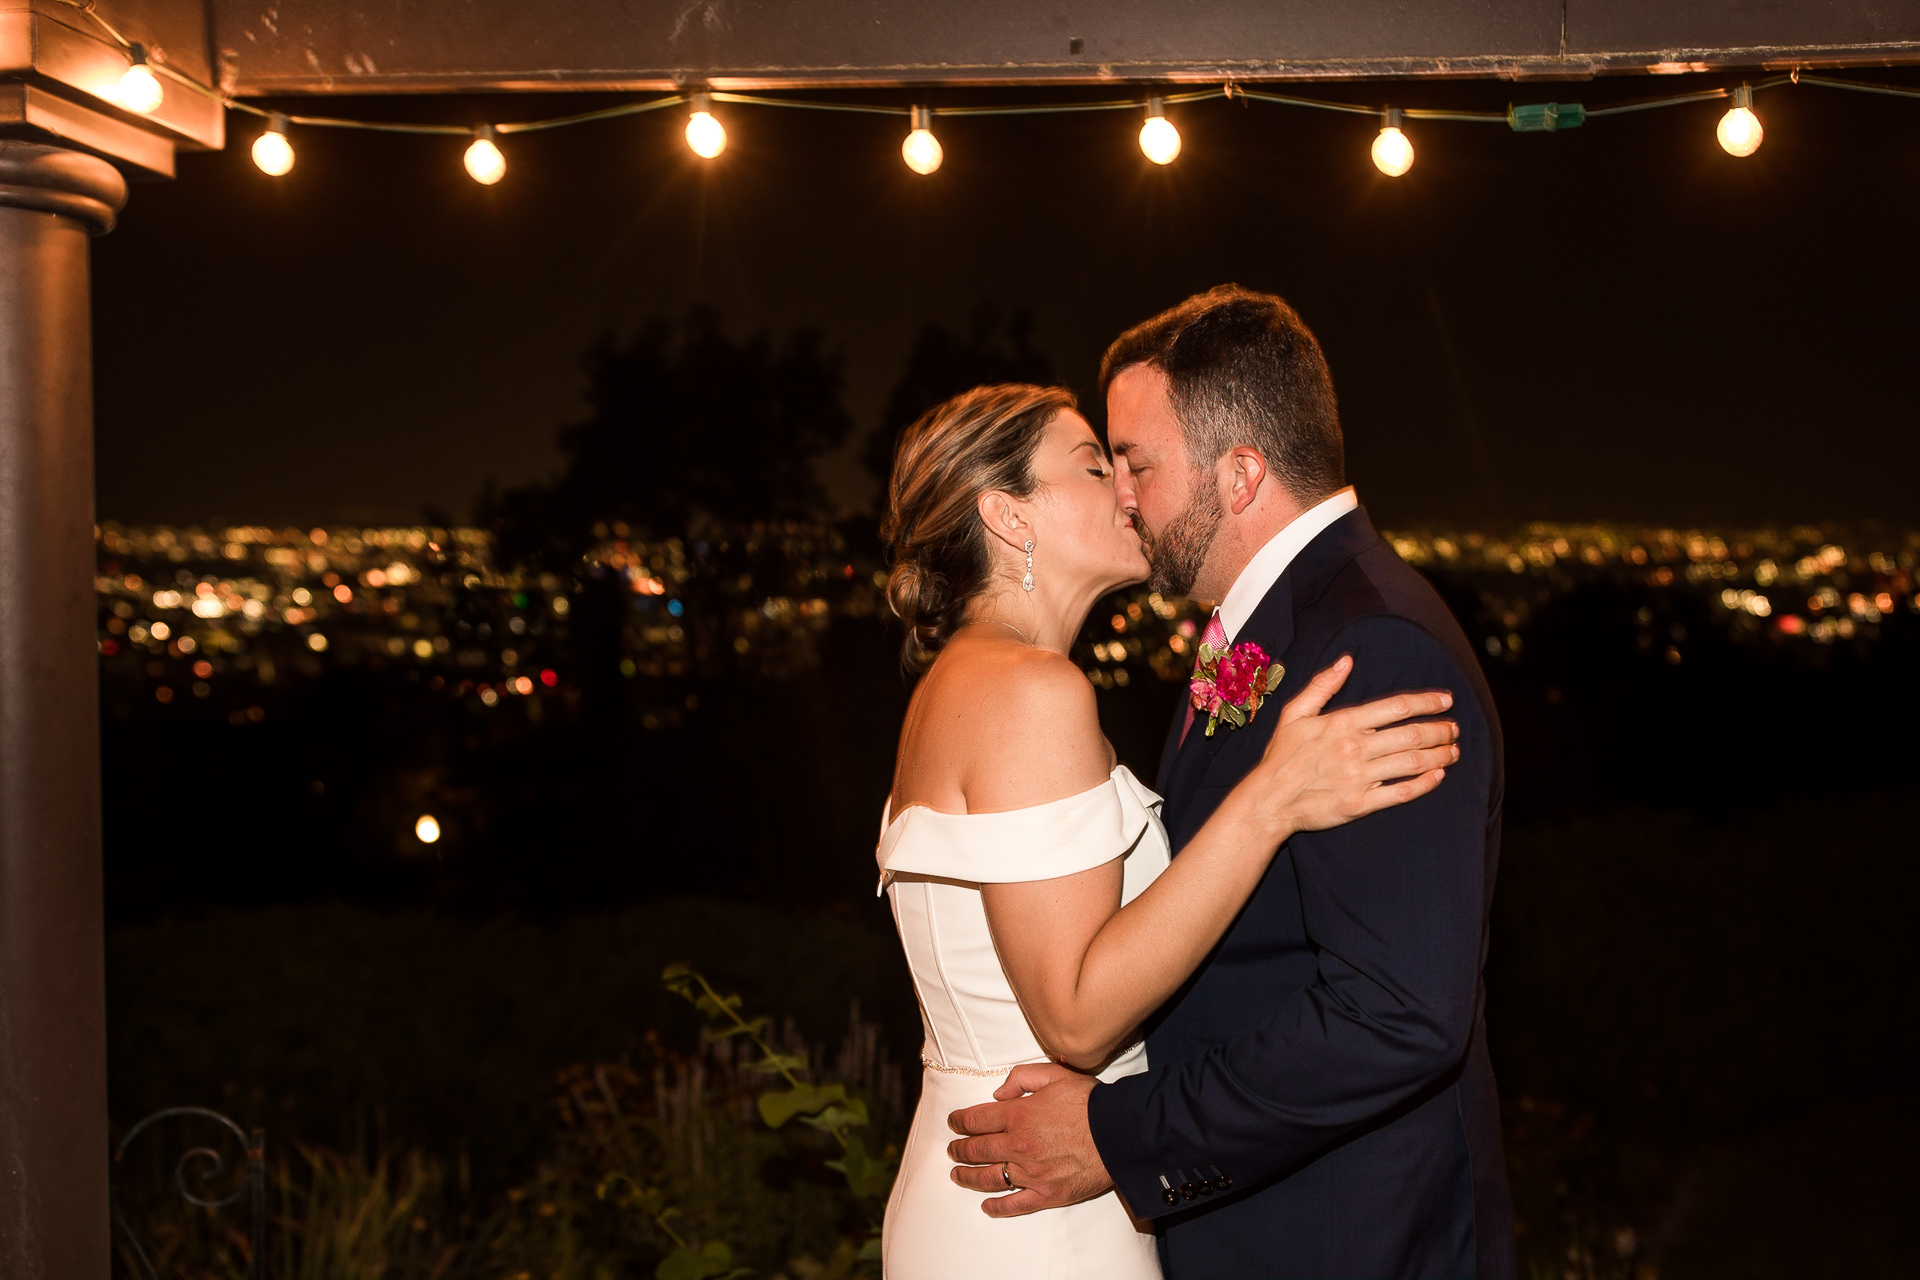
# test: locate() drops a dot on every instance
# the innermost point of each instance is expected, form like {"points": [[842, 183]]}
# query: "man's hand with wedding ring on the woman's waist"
{"points": [[1034, 1139]]}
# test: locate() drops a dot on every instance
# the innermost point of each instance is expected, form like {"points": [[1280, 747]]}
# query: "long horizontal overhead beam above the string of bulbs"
{"points": [[331, 47]]}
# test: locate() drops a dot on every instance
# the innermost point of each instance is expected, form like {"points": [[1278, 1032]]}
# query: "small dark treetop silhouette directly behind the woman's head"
{"points": [[997, 348]]}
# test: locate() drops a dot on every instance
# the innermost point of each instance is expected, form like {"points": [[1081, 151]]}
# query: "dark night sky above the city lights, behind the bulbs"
{"points": [[1618, 321]]}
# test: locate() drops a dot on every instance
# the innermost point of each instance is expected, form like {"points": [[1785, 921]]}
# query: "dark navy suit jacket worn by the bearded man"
{"points": [[1330, 1058]]}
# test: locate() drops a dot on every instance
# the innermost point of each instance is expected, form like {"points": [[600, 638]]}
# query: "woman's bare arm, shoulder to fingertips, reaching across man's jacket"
{"points": [[1086, 970]]}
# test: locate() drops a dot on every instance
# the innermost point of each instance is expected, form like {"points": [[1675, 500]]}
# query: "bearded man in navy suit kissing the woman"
{"points": [[1320, 1101]]}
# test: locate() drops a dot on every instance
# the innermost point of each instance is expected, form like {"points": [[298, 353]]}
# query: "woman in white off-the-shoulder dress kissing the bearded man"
{"points": [[1028, 870]]}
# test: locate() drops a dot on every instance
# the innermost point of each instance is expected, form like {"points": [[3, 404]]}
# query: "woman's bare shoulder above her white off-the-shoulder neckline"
{"points": [[1022, 723]]}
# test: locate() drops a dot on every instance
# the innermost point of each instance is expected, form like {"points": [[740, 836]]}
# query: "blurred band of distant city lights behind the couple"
{"points": [[226, 617]]}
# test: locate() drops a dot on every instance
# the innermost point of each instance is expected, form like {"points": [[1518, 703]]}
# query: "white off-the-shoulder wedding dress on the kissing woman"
{"points": [[932, 866]]}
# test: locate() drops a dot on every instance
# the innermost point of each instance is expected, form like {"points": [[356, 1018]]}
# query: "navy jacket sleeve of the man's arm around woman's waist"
{"points": [[1397, 909]]}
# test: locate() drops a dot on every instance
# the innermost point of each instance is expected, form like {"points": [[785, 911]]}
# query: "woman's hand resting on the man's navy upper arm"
{"points": [[1324, 770]]}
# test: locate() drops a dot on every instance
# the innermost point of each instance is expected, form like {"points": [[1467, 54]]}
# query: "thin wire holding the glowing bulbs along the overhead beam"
{"points": [[1230, 91]]}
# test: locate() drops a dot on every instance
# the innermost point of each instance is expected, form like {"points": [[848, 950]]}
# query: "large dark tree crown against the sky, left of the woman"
{"points": [[686, 423]]}
